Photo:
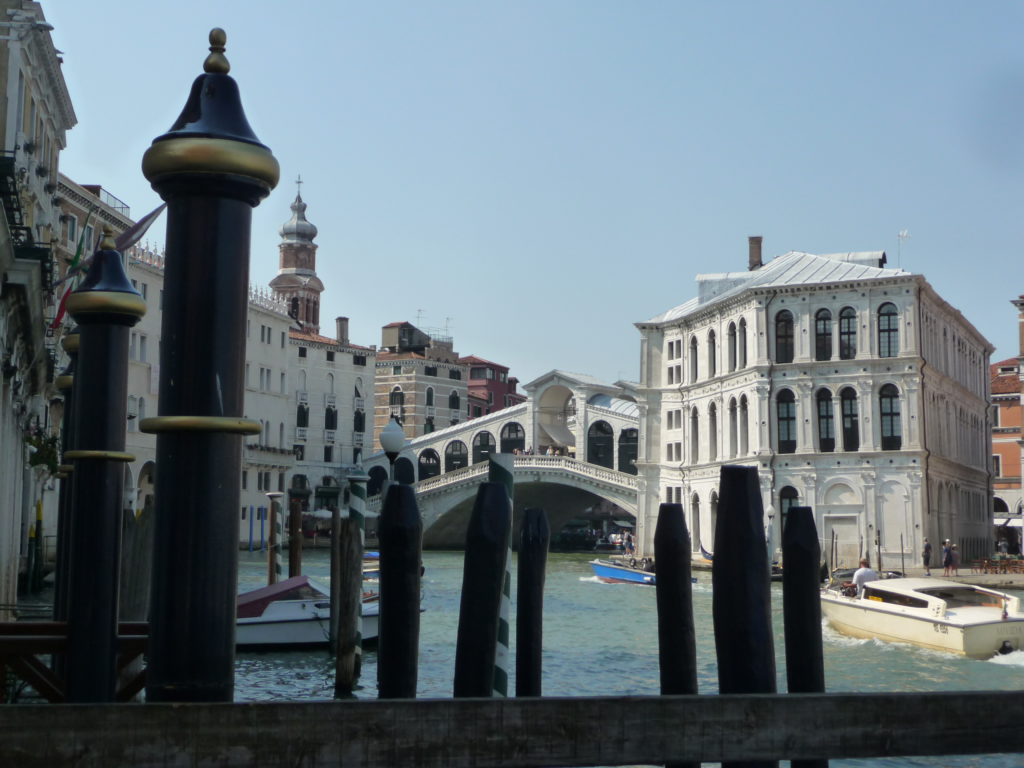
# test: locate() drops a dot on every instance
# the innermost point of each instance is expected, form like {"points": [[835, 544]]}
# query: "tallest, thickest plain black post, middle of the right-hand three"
{"points": [[742, 591]]}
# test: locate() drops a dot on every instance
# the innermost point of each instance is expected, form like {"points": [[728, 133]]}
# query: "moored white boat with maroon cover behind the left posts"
{"points": [[294, 614]]}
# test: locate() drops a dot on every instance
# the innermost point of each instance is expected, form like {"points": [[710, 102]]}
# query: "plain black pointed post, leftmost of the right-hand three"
{"points": [[676, 634]]}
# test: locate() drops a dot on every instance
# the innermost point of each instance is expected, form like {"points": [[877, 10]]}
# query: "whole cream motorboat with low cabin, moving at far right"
{"points": [[944, 616]]}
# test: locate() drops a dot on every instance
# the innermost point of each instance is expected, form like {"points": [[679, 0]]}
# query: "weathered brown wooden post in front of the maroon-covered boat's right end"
{"points": [[349, 588]]}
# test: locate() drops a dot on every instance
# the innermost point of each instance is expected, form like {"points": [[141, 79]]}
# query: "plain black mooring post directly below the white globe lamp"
{"points": [[401, 538]]}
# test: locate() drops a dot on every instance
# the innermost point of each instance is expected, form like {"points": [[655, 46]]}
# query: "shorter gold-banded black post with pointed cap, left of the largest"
{"points": [[106, 307]]}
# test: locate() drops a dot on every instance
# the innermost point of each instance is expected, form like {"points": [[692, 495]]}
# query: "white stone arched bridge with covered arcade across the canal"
{"points": [[574, 442]]}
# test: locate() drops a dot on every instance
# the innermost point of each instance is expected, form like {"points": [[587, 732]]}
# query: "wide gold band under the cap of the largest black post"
{"points": [[199, 155]]}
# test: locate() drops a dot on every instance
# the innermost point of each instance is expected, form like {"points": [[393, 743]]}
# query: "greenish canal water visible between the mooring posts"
{"points": [[602, 639]]}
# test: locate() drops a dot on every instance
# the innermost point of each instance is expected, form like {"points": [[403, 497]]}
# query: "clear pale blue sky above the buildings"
{"points": [[547, 174]]}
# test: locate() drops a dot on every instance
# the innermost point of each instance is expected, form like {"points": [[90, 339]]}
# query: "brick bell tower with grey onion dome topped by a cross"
{"points": [[296, 281]]}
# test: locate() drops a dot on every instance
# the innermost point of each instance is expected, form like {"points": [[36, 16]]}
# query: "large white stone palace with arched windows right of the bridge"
{"points": [[855, 390]]}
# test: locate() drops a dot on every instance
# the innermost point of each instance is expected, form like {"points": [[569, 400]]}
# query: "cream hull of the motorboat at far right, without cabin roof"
{"points": [[977, 631]]}
